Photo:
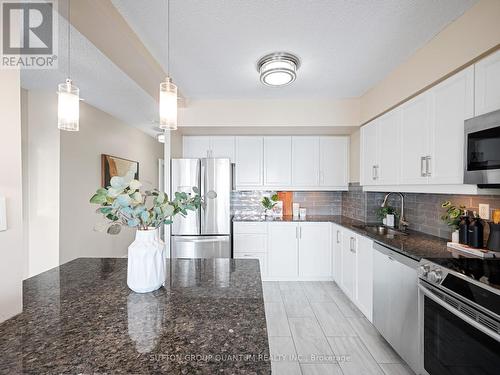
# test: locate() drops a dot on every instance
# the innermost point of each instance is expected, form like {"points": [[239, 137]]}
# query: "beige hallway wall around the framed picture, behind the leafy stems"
{"points": [[81, 152]]}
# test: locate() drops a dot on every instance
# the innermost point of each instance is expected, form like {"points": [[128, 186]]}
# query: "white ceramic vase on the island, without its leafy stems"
{"points": [[146, 262]]}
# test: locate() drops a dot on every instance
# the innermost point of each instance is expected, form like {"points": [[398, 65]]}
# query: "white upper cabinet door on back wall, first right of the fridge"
{"points": [[249, 162]]}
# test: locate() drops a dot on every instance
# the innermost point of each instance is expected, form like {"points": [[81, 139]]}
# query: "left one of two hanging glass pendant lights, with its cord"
{"points": [[68, 95]]}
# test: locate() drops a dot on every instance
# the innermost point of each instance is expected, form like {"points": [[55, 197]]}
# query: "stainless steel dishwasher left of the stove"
{"points": [[395, 302]]}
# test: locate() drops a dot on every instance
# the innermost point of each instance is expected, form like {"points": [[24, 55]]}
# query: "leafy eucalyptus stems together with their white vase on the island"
{"points": [[124, 204]]}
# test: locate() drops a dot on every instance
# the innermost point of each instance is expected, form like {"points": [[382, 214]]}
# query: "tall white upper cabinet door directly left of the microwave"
{"points": [[452, 102]]}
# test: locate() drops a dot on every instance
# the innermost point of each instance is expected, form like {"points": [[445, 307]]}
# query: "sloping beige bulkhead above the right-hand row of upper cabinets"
{"points": [[471, 35]]}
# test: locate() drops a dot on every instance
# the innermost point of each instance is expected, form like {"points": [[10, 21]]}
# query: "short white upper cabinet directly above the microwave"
{"points": [[487, 83]]}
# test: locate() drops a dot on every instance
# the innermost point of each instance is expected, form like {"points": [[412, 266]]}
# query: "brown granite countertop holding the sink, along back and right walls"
{"points": [[416, 245]]}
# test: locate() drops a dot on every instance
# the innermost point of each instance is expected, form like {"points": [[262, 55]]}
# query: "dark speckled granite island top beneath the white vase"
{"points": [[82, 318]]}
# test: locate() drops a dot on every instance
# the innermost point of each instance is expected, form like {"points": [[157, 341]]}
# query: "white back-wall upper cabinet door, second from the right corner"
{"points": [[305, 162]]}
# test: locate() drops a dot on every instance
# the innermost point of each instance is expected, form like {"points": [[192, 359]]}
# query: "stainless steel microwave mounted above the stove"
{"points": [[482, 150]]}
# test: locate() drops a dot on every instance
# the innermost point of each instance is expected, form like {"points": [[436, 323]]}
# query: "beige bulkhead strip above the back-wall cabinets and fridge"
{"points": [[270, 112]]}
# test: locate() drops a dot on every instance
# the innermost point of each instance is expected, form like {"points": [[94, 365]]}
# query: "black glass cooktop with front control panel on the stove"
{"points": [[487, 272]]}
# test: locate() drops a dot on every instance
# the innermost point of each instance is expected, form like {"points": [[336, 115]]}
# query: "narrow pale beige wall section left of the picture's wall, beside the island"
{"points": [[40, 181]]}
